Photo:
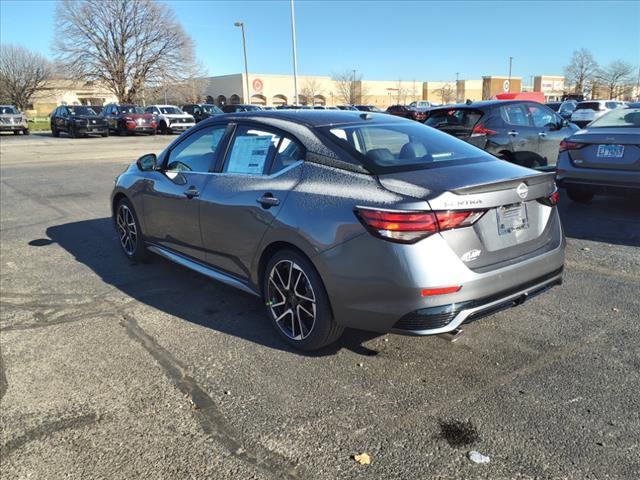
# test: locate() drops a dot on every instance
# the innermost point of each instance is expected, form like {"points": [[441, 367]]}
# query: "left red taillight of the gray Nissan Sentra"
{"points": [[411, 226]]}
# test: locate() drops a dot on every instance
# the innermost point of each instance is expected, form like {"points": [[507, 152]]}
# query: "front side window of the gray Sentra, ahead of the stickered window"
{"points": [[196, 152]]}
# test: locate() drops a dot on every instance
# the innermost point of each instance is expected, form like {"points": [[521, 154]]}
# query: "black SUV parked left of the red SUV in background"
{"points": [[77, 121]]}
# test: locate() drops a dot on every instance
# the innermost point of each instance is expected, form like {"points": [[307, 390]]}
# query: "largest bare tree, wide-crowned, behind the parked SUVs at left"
{"points": [[123, 44]]}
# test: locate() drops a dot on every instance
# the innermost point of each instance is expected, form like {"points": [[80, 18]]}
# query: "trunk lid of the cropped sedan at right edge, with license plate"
{"points": [[607, 148]]}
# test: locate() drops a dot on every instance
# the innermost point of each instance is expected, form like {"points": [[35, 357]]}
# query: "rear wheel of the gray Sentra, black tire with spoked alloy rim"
{"points": [[297, 302]]}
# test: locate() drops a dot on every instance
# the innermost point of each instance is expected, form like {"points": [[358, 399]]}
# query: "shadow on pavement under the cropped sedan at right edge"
{"points": [[614, 220]]}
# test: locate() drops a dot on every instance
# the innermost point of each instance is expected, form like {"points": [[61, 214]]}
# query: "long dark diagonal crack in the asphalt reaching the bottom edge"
{"points": [[211, 419]]}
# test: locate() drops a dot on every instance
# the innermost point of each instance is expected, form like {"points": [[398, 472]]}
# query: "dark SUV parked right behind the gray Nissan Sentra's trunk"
{"points": [[522, 132]]}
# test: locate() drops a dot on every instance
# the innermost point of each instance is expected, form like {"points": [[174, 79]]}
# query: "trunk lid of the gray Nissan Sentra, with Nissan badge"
{"points": [[515, 225]]}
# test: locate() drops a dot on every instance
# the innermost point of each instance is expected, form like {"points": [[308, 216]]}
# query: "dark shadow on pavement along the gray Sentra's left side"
{"points": [[178, 291]]}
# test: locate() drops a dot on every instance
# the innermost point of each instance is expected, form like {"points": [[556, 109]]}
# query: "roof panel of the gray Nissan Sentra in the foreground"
{"points": [[317, 118]]}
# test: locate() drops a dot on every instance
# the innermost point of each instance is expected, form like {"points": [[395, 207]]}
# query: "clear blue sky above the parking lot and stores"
{"points": [[383, 40]]}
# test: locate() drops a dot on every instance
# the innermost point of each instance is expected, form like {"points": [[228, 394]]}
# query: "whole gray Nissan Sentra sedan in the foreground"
{"points": [[345, 219]]}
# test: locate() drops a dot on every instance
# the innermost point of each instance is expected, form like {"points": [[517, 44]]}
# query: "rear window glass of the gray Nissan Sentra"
{"points": [[403, 146]]}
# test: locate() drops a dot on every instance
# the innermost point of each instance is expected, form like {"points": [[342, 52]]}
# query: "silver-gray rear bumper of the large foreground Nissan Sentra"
{"points": [[378, 295]]}
